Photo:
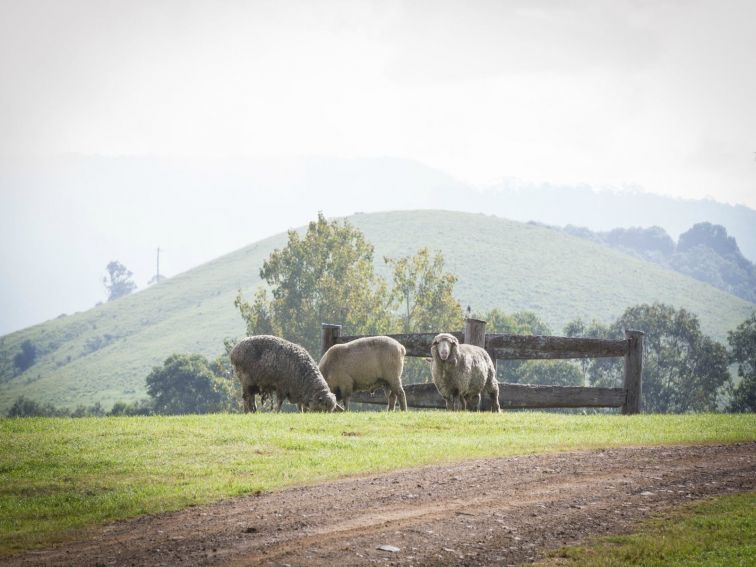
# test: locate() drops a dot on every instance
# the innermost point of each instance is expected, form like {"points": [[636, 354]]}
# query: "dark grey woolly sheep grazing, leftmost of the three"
{"points": [[267, 364]]}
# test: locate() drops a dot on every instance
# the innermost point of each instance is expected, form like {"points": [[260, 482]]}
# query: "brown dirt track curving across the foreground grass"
{"points": [[484, 512]]}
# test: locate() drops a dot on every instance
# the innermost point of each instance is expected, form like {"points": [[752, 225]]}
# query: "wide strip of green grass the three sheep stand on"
{"points": [[59, 475]]}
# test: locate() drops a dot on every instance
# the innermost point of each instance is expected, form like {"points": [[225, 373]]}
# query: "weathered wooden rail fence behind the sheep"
{"points": [[518, 347]]}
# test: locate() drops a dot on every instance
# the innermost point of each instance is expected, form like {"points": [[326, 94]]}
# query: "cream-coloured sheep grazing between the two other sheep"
{"points": [[364, 365]]}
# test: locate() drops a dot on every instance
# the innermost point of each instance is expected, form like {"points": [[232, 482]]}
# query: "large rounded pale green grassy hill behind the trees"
{"points": [[105, 353]]}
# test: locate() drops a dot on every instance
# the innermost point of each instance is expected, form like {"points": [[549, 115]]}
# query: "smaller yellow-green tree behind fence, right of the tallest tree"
{"points": [[423, 293]]}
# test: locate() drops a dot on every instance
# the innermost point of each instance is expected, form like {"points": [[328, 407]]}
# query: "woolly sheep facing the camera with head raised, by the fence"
{"points": [[461, 372]]}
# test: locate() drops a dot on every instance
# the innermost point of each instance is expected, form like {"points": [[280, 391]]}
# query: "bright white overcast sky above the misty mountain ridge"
{"points": [[655, 94]]}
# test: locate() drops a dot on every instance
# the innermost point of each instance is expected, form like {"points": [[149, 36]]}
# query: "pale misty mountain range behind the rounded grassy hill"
{"points": [[63, 219]]}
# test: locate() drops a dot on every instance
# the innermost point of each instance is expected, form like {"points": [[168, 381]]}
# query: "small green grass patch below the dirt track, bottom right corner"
{"points": [[721, 531]]}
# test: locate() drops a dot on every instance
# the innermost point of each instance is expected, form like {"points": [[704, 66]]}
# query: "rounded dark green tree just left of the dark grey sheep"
{"points": [[186, 383]]}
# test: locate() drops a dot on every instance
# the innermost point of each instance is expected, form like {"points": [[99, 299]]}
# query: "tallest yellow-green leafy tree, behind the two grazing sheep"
{"points": [[325, 276]]}
